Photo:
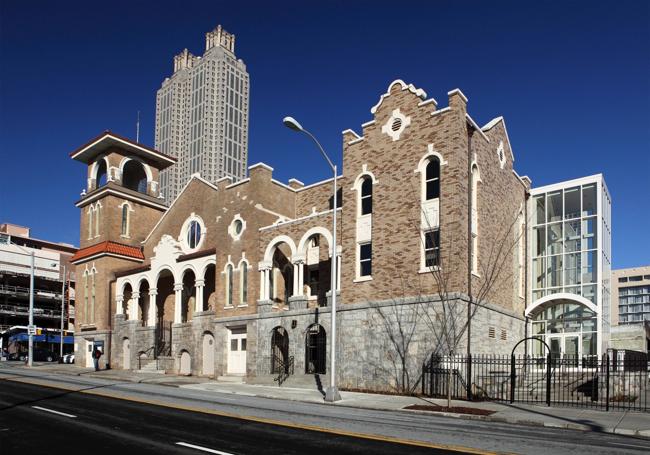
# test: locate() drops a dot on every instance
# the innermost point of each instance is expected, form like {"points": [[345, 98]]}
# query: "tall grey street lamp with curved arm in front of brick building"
{"points": [[332, 393]]}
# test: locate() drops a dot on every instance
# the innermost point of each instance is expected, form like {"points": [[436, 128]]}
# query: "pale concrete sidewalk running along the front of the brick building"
{"points": [[618, 422]]}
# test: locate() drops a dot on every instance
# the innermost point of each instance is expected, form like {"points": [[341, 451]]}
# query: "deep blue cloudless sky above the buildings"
{"points": [[571, 78]]}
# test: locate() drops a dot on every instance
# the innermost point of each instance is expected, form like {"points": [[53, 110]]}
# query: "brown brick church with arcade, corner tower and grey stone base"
{"points": [[234, 278]]}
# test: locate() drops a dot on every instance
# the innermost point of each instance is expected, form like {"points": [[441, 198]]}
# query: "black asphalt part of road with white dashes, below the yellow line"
{"points": [[111, 424]]}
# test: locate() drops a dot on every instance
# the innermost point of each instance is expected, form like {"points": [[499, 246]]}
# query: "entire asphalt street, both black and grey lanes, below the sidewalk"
{"points": [[103, 423]]}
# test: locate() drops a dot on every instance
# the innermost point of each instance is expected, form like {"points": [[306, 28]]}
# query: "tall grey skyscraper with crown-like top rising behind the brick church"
{"points": [[202, 115]]}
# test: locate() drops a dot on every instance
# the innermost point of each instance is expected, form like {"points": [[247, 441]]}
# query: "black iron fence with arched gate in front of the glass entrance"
{"points": [[618, 380]]}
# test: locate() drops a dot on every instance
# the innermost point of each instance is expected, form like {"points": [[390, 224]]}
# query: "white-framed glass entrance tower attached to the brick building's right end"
{"points": [[570, 268]]}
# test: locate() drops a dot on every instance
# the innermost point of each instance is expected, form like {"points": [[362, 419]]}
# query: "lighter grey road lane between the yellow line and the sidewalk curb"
{"points": [[440, 430]]}
